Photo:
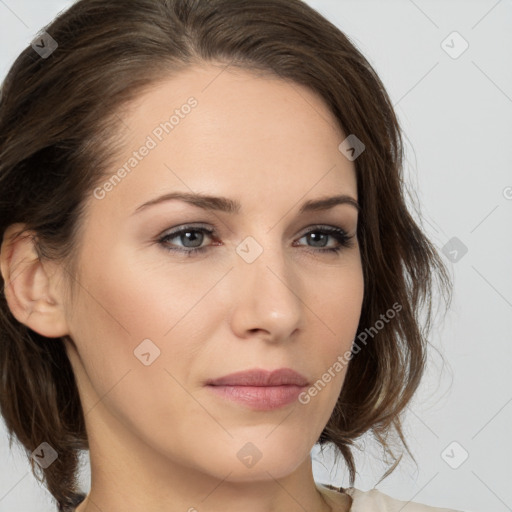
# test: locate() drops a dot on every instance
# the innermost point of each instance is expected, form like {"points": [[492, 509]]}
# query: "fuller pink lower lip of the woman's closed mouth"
{"points": [[261, 398]]}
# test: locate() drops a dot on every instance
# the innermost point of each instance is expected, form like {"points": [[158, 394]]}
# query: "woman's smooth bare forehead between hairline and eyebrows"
{"points": [[246, 131]]}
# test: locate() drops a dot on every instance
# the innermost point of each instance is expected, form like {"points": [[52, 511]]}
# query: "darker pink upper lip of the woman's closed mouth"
{"points": [[258, 377]]}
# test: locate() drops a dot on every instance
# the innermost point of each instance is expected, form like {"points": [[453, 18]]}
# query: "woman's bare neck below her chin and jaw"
{"points": [[133, 475]]}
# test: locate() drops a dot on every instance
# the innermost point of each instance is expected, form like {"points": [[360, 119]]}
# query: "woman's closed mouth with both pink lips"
{"points": [[260, 390]]}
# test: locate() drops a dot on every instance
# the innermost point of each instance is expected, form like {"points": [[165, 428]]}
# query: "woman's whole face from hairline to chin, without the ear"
{"points": [[174, 294]]}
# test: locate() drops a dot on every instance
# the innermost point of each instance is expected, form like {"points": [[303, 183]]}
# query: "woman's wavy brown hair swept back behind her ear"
{"points": [[58, 133]]}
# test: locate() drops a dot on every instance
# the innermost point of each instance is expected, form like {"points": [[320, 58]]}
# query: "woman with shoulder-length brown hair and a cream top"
{"points": [[207, 261]]}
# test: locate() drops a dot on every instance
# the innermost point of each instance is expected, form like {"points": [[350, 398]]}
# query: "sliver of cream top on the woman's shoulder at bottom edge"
{"points": [[370, 501]]}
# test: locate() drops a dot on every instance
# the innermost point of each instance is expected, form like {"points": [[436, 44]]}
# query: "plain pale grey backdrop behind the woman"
{"points": [[456, 112]]}
